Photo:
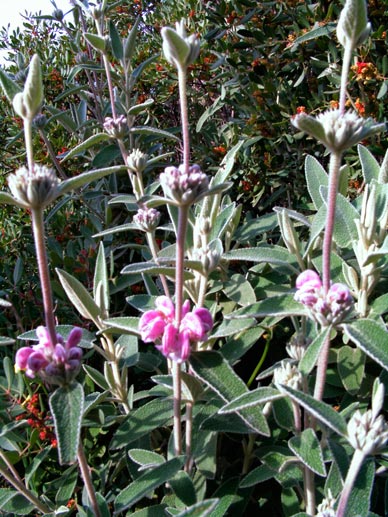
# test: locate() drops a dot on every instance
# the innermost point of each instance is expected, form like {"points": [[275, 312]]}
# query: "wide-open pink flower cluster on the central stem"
{"points": [[159, 326]]}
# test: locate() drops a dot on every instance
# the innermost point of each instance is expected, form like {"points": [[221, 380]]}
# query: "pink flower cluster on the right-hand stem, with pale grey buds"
{"points": [[325, 309]]}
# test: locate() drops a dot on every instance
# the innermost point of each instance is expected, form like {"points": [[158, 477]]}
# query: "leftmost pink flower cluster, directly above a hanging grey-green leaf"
{"points": [[57, 364]]}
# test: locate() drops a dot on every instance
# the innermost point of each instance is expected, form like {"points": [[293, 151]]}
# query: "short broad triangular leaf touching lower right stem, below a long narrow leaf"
{"points": [[308, 449]]}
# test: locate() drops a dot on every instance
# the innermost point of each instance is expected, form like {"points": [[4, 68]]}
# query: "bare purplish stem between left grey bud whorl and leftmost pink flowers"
{"points": [[44, 275]]}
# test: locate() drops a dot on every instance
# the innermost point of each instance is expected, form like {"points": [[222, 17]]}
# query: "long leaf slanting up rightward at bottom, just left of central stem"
{"points": [[147, 482]]}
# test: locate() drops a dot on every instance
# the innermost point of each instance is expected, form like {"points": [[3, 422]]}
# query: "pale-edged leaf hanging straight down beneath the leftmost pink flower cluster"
{"points": [[66, 405]]}
